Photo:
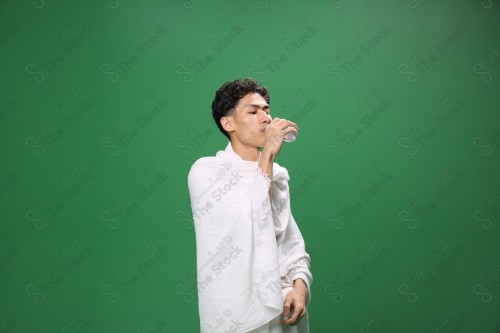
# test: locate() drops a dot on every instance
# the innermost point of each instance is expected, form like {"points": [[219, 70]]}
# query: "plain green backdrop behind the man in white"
{"points": [[105, 105]]}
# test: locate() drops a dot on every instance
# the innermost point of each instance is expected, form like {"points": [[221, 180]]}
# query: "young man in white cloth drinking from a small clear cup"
{"points": [[252, 269]]}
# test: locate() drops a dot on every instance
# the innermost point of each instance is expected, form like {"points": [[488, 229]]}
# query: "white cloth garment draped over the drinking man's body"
{"points": [[249, 248]]}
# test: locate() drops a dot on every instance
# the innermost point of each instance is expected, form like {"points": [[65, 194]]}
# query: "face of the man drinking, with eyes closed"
{"points": [[250, 118]]}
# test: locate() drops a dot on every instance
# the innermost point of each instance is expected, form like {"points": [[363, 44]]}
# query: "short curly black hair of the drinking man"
{"points": [[228, 96]]}
